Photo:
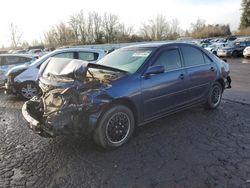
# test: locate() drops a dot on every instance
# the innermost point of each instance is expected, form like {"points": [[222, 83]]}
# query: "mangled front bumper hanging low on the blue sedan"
{"points": [[63, 122]]}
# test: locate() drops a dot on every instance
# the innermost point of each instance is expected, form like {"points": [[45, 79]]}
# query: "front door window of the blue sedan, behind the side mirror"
{"points": [[170, 59]]}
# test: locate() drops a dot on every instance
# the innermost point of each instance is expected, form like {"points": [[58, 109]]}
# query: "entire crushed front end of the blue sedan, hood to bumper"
{"points": [[72, 97]]}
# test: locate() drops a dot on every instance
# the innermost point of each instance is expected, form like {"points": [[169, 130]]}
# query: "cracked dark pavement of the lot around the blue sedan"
{"points": [[194, 148]]}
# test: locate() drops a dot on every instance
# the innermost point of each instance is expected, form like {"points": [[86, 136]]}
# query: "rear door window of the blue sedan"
{"points": [[192, 56]]}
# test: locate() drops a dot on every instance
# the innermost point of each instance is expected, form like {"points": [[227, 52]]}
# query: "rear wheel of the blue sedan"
{"points": [[214, 96]]}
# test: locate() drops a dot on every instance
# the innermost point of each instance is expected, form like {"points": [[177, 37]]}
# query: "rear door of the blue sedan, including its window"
{"points": [[201, 70]]}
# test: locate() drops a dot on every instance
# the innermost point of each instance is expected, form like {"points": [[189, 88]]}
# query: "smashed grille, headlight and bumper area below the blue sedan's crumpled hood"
{"points": [[57, 112]]}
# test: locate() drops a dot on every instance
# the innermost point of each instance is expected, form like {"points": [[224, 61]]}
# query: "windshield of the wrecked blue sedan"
{"points": [[128, 60]]}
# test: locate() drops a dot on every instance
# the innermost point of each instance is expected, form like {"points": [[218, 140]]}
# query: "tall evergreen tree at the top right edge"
{"points": [[245, 16]]}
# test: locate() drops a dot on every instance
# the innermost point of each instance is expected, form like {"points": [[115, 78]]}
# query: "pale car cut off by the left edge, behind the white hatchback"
{"points": [[8, 61]]}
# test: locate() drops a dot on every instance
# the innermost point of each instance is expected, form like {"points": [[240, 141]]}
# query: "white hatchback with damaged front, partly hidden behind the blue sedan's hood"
{"points": [[22, 79]]}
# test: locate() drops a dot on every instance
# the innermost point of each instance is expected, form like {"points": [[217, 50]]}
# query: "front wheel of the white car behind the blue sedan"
{"points": [[28, 89]]}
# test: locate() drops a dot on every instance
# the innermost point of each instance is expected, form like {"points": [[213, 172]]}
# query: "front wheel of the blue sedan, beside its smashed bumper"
{"points": [[115, 127]]}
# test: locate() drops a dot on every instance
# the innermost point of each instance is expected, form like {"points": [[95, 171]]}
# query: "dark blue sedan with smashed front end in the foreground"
{"points": [[127, 88]]}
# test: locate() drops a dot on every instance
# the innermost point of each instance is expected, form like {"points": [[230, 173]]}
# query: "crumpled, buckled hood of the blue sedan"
{"points": [[62, 72]]}
